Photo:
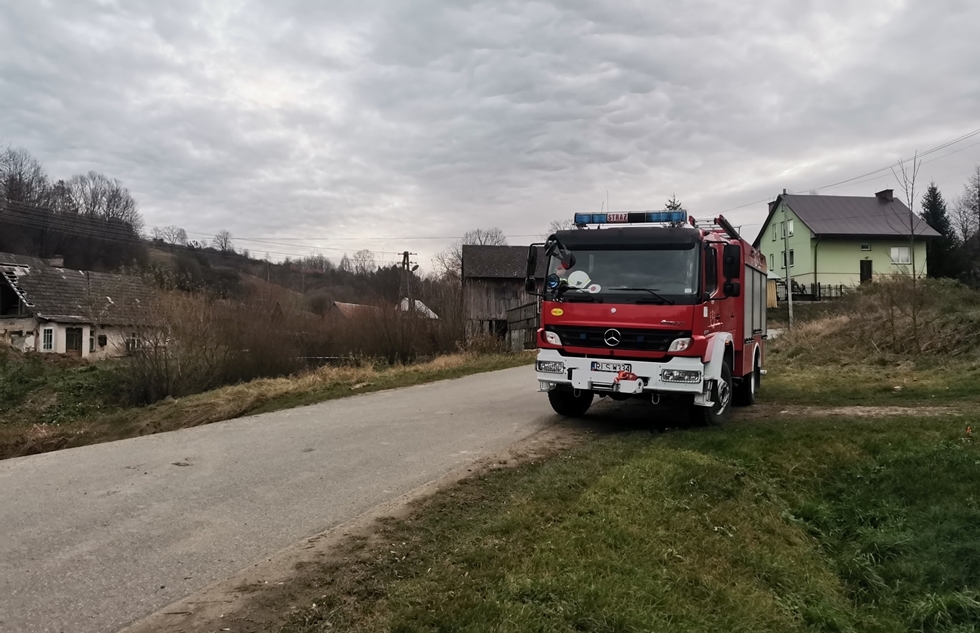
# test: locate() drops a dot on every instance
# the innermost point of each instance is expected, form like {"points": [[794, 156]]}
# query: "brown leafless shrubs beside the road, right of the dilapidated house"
{"points": [[192, 343]]}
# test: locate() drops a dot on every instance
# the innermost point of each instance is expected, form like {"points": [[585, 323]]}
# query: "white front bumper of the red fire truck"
{"points": [[578, 374]]}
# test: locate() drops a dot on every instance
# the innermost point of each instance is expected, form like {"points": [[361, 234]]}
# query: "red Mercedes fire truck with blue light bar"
{"points": [[653, 305]]}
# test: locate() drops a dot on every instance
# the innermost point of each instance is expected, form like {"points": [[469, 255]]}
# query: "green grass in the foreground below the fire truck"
{"points": [[815, 525]]}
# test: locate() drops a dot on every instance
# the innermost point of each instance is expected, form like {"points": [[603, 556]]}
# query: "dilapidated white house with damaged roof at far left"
{"points": [[48, 309]]}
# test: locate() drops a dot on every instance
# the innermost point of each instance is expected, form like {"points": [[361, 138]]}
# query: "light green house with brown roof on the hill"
{"points": [[840, 241]]}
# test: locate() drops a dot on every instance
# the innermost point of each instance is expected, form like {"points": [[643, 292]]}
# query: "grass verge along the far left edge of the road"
{"points": [[47, 406]]}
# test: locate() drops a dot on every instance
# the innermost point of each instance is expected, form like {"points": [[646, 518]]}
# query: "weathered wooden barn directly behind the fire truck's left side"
{"points": [[493, 283]]}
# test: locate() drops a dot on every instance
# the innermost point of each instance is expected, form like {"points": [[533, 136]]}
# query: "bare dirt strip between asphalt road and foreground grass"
{"points": [[255, 599]]}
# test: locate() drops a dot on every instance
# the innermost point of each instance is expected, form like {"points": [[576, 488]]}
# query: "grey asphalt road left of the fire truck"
{"points": [[93, 538]]}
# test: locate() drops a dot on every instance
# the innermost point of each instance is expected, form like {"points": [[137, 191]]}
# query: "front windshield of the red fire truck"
{"points": [[669, 272]]}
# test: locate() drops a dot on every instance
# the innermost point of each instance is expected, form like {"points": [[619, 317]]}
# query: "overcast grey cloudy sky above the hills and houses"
{"points": [[306, 126]]}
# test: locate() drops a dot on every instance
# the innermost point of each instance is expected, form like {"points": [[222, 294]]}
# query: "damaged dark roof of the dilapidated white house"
{"points": [[65, 295]]}
